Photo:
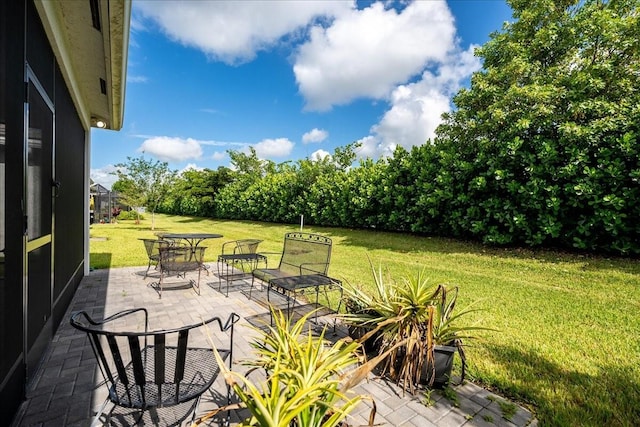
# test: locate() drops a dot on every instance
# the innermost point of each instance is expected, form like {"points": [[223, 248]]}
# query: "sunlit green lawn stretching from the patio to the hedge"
{"points": [[568, 341]]}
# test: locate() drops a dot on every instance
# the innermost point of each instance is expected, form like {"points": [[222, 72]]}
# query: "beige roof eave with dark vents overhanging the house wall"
{"points": [[83, 62]]}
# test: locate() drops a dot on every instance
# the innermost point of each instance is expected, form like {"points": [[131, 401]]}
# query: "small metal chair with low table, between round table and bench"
{"points": [[238, 258]]}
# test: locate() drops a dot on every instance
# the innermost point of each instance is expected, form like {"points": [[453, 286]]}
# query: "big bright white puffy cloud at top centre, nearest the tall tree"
{"points": [[366, 53]]}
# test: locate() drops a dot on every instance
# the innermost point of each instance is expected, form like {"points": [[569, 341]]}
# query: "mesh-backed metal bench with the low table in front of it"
{"points": [[303, 267]]}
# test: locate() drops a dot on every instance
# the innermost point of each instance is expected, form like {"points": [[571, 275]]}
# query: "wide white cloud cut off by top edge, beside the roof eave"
{"points": [[234, 31]]}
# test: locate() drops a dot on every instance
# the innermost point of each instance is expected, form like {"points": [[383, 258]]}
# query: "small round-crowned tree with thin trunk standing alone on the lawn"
{"points": [[143, 183]]}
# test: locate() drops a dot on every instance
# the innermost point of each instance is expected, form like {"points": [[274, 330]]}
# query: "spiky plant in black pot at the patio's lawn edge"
{"points": [[420, 322]]}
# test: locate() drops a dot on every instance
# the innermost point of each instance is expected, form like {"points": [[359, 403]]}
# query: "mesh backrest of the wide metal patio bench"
{"points": [[305, 253]]}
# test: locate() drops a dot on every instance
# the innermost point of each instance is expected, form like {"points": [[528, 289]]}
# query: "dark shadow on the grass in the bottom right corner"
{"points": [[566, 397]]}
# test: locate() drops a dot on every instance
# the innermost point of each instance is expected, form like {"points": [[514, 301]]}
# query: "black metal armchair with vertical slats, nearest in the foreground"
{"points": [[154, 377]]}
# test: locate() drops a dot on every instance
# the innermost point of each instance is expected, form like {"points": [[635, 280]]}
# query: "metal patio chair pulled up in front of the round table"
{"points": [[178, 260]]}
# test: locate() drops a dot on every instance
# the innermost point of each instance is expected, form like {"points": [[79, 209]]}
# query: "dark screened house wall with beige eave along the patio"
{"points": [[62, 72]]}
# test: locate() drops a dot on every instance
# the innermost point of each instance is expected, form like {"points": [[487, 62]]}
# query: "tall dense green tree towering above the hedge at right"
{"points": [[543, 146]]}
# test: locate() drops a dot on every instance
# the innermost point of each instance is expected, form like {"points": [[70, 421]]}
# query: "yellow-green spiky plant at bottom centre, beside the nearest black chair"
{"points": [[308, 380]]}
